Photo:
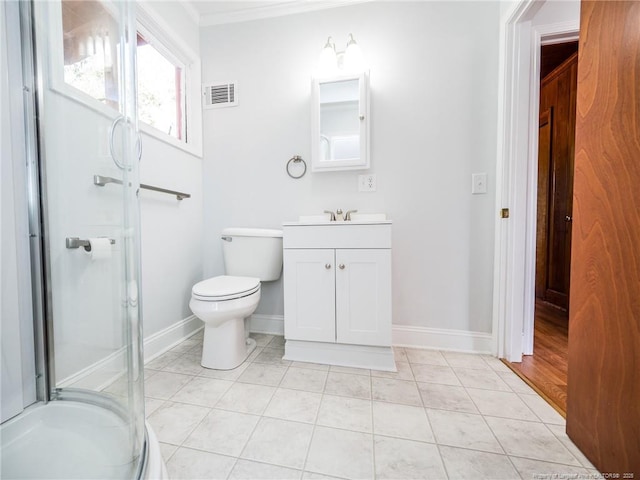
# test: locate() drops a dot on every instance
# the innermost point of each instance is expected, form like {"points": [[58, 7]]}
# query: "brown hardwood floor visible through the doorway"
{"points": [[546, 369]]}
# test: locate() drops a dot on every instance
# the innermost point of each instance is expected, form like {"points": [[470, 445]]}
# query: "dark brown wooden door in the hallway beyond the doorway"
{"points": [[555, 182]]}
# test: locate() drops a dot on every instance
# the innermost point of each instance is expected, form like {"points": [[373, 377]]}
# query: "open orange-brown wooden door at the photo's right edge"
{"points": [[603, 402]]}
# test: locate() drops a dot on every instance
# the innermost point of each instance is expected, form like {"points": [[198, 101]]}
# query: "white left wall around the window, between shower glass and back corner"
{"points": [[171, 230]]}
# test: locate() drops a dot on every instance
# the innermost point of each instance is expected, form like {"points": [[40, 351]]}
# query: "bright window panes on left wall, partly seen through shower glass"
{"points": [[90, 39]]}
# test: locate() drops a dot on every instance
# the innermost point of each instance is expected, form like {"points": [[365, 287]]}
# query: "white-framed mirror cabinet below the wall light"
{"points": [[340, 124]]}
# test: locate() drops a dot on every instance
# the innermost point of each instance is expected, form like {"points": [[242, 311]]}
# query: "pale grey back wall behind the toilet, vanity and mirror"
{"points": [[434, 69]]}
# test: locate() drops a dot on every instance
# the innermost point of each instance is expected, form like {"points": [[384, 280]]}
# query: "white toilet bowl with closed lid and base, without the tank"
{"points": [[223, 303]]}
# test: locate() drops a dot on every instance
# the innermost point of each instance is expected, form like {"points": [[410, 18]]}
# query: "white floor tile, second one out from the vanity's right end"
{"points": [[402, 421]]}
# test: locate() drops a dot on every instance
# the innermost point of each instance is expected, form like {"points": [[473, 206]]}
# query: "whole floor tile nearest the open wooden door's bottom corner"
{"points": [[530, 440]]}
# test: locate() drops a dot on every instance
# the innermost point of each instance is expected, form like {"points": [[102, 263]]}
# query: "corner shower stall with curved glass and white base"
{"points": [[72, 367]]}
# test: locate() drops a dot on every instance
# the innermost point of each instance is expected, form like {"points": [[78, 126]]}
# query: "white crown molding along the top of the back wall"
{"points": [[274, 10]]}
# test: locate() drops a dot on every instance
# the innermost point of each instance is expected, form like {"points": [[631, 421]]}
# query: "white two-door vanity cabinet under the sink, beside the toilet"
{"points": [[337, 293]]}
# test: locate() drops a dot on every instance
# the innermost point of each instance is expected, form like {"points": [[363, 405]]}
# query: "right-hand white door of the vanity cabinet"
{"points": [[363, 296]]}
